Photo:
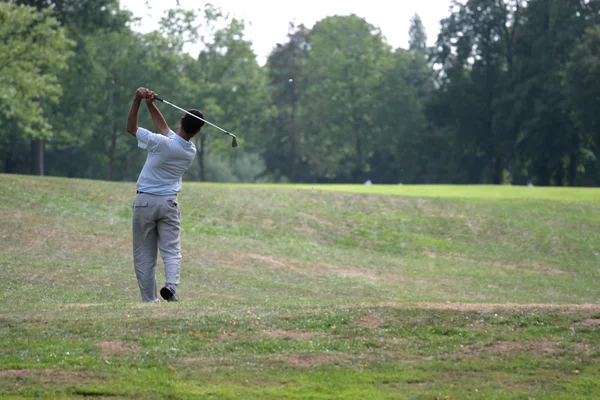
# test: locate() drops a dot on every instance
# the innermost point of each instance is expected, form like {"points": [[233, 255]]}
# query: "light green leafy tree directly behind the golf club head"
{"points": [[229, 86]]}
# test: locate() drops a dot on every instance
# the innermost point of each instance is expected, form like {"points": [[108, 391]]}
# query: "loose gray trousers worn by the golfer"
{"points": [[155, 225]]}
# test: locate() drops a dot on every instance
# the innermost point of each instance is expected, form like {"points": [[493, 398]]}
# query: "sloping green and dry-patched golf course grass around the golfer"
{"points": [[304, 292]]}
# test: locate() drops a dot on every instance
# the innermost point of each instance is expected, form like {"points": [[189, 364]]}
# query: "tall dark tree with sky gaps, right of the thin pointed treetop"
{"points": [[475, 57]]}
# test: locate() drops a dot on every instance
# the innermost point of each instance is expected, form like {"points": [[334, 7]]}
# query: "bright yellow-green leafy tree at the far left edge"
{"points": [[33, 50]]}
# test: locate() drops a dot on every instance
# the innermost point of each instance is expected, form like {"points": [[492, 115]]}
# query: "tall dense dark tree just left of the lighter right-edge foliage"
{"points": [[549, 145]]}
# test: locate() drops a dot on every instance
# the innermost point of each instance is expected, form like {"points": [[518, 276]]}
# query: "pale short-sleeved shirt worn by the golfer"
{"points": [[169, 157]]}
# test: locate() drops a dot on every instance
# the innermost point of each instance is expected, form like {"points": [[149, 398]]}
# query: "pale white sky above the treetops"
{"points": [[267, 20]]}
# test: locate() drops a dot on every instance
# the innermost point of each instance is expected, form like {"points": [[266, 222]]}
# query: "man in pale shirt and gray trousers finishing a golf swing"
{"points": [[155, 222]]}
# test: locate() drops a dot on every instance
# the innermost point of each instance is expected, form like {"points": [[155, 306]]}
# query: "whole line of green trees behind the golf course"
{"points": [[509, 93]]}
